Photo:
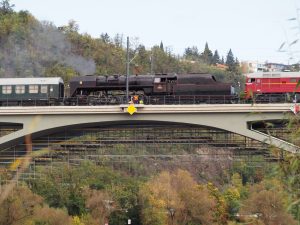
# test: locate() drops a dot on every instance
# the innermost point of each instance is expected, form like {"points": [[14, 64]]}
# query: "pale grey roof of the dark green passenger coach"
{"points": [[31, 80]]}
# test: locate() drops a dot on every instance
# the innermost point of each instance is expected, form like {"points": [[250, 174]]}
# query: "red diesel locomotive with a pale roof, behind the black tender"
{"points": [[273, 86]]}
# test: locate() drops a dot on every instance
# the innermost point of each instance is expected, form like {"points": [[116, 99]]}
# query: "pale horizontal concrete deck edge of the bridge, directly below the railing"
{"points": [[202, 108]]}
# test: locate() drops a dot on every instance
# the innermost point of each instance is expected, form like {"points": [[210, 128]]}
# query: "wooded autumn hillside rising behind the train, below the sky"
{"points": [[29, 47]]}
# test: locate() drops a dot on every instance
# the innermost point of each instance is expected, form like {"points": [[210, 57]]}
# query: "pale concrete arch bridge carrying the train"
{"points": [[236, 118]]}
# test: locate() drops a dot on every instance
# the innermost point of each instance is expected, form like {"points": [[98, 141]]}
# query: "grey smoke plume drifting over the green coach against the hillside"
{"points": [[28, 53]]}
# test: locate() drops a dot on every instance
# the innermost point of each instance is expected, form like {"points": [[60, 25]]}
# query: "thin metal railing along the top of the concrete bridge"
{"points": [[147, 100]]}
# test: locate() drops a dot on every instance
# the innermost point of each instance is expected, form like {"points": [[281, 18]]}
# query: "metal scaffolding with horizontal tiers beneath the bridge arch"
{"points": [[127, 143]]}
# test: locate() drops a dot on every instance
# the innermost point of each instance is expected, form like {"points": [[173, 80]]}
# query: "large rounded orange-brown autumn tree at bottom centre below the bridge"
{"points": [[168, 193]]}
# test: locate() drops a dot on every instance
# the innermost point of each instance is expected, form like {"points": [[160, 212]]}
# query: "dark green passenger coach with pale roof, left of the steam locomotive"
{"points": [[30, 91]]}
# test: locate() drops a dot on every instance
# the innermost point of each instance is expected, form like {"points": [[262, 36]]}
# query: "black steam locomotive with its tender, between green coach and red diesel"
{"points": [[187, 88]]}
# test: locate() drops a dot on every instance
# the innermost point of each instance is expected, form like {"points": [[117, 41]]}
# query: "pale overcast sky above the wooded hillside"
{"points": [[253, 29]]}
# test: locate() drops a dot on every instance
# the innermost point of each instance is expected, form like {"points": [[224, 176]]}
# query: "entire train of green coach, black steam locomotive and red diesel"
{"points": [[152, 89]]}
